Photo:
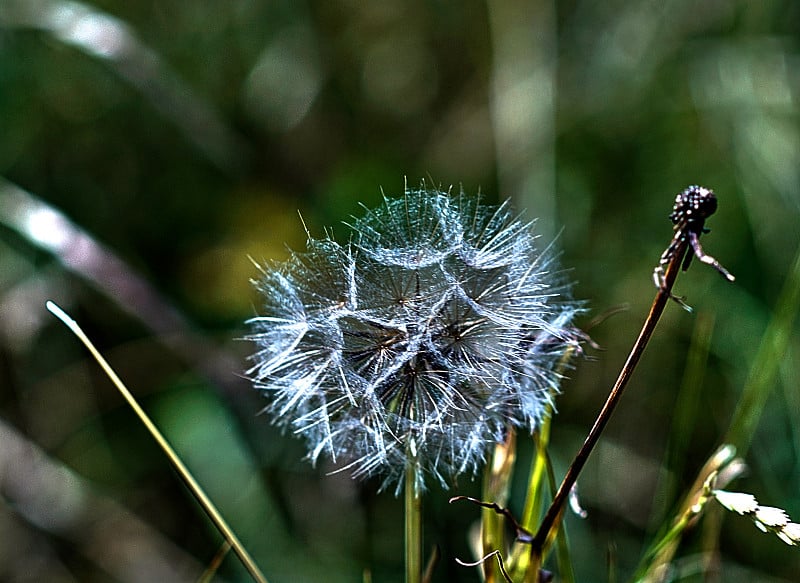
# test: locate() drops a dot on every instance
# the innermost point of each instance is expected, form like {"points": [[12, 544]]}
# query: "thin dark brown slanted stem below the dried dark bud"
{"points": [[556, 509]]}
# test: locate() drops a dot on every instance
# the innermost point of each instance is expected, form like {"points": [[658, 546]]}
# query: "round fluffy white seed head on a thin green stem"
{"points": [[418, 343]]}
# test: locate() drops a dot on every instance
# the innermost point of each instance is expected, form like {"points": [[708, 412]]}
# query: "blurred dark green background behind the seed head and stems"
{"points": [[148, 149]]}
